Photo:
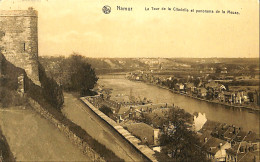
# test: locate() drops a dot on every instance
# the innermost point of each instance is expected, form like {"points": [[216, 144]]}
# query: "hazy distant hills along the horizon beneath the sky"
{"points": [[109, 65]]}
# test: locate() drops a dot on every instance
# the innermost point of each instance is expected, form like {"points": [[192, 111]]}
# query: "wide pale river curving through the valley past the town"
{"points": [[215, 112]]}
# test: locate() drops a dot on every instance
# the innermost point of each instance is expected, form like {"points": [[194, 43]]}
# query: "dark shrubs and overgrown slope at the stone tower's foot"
{"points": [[9, 96]]}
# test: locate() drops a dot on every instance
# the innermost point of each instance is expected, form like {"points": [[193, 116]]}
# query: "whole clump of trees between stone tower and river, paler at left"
{"points": [[74, 73]]}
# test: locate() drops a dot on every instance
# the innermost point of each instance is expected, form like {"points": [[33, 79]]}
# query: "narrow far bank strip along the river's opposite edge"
{"points": [[250, 109]]}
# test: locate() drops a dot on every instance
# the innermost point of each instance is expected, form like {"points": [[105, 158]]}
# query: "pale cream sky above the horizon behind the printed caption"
{"points": [[67, 26]]}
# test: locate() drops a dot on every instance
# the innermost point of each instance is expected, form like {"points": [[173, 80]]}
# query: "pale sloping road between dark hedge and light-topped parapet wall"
{"points": [[77, 112]]}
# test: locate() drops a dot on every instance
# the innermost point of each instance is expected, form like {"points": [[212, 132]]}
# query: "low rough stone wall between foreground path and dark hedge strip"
{"points": [[81, 144]]}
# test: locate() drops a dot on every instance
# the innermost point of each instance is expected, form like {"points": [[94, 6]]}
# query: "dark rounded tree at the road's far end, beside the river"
{"points": [[82, 76]]}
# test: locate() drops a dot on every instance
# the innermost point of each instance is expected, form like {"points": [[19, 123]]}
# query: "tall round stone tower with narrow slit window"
{"points": [[19, 40]]}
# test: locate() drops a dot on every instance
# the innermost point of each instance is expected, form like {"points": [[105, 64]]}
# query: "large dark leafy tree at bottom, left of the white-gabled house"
{"points": [[180, 141]]}
